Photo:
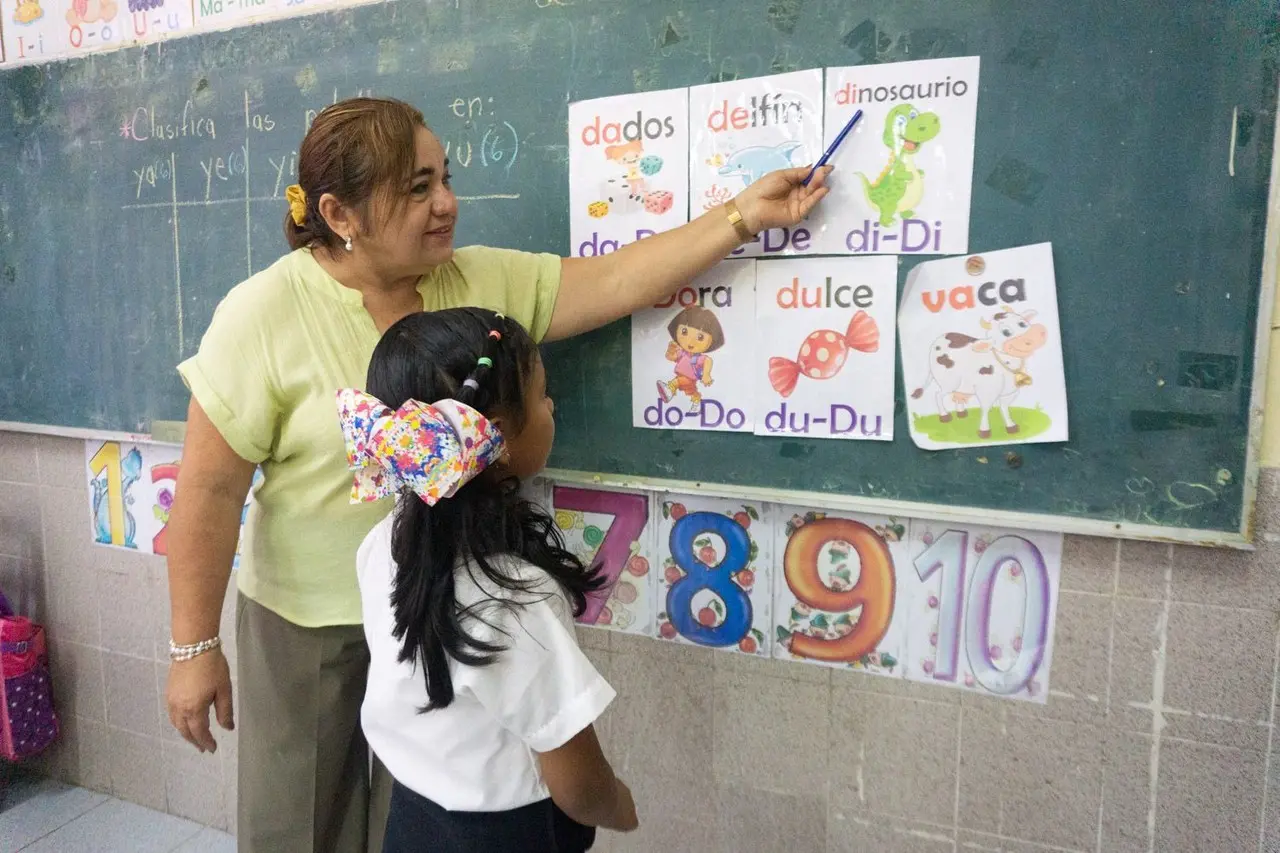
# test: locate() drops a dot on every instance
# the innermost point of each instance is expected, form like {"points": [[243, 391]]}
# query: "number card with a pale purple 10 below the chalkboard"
{"points": [[980, 609]]}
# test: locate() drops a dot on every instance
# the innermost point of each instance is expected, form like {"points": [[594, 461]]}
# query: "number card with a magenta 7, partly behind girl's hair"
{"points": [[615, 531]]}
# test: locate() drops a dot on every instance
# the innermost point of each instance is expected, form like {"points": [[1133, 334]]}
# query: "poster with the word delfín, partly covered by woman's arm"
{"points": [[740, 131]]}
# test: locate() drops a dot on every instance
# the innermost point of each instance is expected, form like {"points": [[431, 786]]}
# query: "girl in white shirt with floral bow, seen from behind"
{"points": [[479, 701]]}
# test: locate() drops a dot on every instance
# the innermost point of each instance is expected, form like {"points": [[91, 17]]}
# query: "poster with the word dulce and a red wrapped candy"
{"points": [[825, 348]]}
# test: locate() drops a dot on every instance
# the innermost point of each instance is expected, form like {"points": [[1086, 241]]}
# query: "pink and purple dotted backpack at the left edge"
{"points": [[29, 724]]}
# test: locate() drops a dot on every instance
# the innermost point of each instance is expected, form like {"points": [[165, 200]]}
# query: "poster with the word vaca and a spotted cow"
{"points": [[982, 352]]}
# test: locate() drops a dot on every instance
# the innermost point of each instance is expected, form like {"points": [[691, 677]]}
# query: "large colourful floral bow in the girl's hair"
{"points": [[431, 449]]}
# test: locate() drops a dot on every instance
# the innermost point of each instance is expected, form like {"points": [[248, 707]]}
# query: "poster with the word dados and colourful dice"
{"points": [[629, 170]]}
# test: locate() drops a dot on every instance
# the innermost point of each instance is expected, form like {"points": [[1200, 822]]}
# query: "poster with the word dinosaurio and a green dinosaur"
{"points": [[904, 175]]}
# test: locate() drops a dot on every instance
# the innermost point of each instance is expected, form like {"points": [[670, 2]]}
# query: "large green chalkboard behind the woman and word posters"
{"points": [[138, 188]]}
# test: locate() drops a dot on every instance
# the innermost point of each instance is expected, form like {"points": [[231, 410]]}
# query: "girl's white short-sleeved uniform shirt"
{"points": [[478, 754]]}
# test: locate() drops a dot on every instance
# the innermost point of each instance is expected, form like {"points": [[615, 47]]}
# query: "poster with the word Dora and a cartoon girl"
{"points": [[693, 357]]}
